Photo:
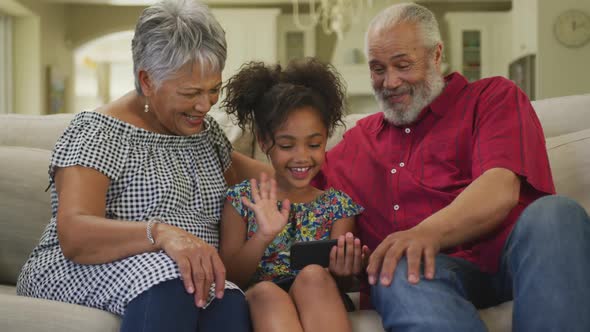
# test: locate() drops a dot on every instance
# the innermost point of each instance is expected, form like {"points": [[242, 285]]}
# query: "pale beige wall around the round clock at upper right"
{"points": [[561, 71]]}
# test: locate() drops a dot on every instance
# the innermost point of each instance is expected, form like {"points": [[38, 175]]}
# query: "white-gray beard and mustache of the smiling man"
{"points": [[422, 94]]}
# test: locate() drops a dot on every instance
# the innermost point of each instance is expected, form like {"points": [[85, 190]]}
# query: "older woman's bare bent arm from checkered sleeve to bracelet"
{"points": [[85, 235]]}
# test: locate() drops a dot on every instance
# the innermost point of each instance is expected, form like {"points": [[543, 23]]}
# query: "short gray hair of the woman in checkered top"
{"points": [[172, 33]]}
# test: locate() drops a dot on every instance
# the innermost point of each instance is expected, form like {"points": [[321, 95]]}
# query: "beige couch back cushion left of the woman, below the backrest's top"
{"points": [[24, 204]]}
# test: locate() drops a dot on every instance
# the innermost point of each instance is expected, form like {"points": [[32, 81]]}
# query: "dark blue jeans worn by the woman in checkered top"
{"points": [[168, 307]]}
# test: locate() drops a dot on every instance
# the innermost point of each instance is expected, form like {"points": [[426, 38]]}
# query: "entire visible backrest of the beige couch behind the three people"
{"points": [[26, 142]]}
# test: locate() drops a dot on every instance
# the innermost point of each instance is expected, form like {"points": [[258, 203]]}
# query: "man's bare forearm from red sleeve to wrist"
{"points": [[478, 210]]}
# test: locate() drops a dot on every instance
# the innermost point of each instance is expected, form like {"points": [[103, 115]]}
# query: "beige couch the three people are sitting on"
{"points": [[25, 144]]}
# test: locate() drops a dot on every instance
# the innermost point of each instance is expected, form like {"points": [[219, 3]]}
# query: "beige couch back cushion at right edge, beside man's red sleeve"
{"points": [[569, 156]]}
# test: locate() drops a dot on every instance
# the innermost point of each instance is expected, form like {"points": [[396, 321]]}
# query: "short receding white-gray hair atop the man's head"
{"points": [[407, 13]]}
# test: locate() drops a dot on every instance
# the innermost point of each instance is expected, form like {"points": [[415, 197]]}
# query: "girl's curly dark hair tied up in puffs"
{"points": [[263, 96]]}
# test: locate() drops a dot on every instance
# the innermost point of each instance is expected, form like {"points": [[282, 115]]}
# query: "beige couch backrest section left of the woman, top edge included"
{"points": [[26, 142]]}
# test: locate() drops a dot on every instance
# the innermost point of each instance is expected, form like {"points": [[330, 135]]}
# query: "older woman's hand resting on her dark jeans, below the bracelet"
{"points": [[198, 262]]}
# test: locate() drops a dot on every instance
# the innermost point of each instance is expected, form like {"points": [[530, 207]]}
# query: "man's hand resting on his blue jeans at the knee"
{"points": [[415, 243]]}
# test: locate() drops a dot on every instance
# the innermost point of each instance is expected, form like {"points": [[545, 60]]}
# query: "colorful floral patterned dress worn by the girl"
{"points": [[307, 222]]}
